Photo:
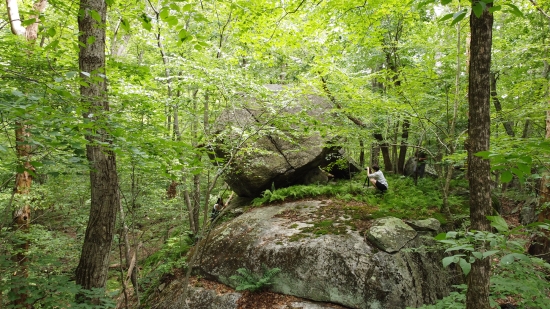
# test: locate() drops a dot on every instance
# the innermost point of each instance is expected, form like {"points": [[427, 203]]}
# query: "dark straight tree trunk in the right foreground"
{"points": [[479, 175]]}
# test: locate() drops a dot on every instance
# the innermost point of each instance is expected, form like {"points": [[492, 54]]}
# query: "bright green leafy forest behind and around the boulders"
{"points": [[395, 71]]}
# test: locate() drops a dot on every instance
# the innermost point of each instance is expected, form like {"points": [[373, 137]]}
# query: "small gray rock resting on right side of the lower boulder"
{"points": [[390, 234]]}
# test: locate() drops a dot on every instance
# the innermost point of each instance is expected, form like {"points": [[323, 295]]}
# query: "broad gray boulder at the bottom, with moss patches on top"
{"points": [[324, 258]]}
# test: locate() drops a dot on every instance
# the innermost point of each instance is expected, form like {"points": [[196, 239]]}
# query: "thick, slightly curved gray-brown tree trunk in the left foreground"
{"points": [[105, 199]]}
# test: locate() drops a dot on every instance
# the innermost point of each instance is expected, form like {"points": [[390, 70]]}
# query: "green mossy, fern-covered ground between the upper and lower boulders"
{"points": [[351, 206]]}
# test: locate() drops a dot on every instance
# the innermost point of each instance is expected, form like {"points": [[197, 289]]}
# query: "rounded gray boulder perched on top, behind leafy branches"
{"points": [[279, 147]]}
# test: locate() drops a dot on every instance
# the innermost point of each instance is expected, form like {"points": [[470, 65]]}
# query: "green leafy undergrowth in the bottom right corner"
{"points": [[514, 273]]}
